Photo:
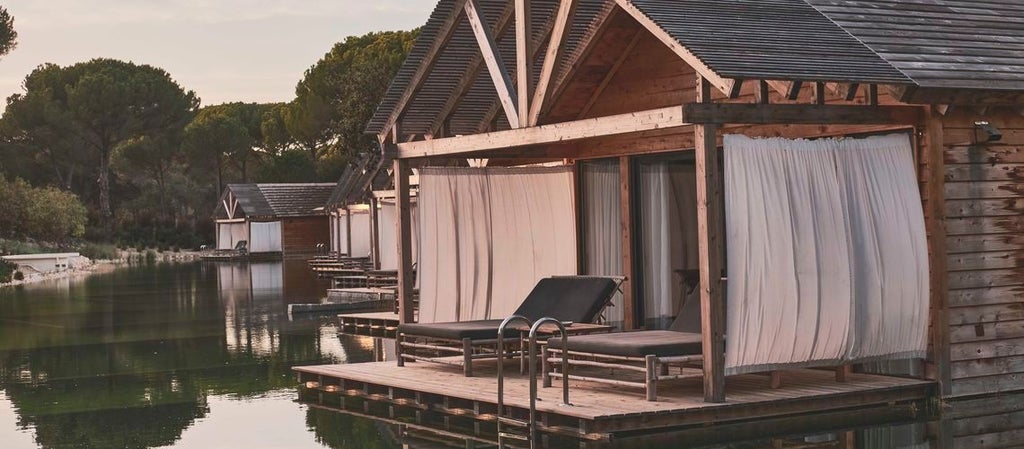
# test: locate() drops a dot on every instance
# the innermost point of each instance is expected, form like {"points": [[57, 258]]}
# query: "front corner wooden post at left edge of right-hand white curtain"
{"points": [[710, 247]]}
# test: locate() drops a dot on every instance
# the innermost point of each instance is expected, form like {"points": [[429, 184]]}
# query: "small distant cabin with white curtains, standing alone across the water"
{"points": [[285, 219]]}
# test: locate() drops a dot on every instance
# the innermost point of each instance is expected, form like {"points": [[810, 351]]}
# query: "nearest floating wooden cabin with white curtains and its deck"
{"points": [[693, 135]]}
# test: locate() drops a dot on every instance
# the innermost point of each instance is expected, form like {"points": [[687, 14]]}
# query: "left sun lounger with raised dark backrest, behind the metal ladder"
{"points": [[570, 299]]}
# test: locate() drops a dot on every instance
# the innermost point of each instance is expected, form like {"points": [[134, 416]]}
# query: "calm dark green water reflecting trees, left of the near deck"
{"points": [[185, 356]]}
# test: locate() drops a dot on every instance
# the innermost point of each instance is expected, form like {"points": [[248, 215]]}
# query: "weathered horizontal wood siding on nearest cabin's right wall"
{"points": [[985, 202]]}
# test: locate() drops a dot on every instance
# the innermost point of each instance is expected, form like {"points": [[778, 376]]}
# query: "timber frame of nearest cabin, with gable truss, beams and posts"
{"points": [[553, 102]]}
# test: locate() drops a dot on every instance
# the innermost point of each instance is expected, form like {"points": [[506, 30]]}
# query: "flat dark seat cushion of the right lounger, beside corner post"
{"points": [[636, 344]]}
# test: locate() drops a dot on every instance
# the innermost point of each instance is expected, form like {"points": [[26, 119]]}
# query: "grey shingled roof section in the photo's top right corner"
{"points": [[941, 44]]}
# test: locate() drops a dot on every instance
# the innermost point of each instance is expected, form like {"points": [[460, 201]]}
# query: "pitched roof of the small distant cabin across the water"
{"points": [[281, 200]]}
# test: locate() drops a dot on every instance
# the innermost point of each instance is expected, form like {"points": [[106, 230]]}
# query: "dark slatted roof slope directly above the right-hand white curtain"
{"points": [[769, 39]]}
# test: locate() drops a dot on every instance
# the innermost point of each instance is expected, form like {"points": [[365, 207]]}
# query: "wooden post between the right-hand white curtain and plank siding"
{"points": [[933, 156]]}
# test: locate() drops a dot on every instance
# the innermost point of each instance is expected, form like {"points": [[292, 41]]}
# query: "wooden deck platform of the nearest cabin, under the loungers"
{"points": [[599, 413]]}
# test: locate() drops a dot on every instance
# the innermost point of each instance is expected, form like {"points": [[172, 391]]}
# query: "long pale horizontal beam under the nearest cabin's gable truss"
{"points": [[557, 133]]}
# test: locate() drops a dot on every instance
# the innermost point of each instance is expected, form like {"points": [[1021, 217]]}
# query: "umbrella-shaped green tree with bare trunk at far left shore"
{"points": [[105, 104]]}
